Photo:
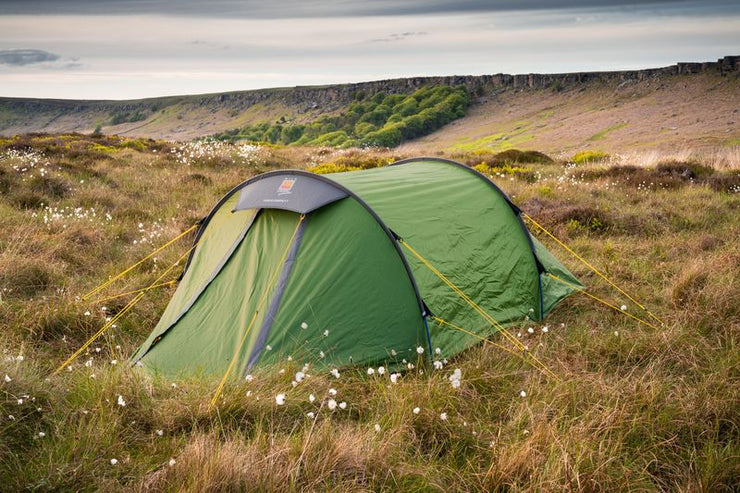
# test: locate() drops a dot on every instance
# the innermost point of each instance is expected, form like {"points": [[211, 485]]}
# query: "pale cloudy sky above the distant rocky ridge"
{"points": [[127, 49]]}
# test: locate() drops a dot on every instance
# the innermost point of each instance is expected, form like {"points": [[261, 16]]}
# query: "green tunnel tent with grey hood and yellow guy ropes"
{"points": [[293, 264]]}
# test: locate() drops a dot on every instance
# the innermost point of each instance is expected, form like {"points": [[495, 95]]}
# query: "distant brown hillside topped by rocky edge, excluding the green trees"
{"points": [[688, 104]]}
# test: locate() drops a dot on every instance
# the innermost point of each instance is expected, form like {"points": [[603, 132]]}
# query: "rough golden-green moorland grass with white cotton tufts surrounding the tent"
{"points": [[634, 409]]}
